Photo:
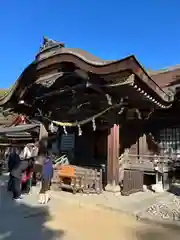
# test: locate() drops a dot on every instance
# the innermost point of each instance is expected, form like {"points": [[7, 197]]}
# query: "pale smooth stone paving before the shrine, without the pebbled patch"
{"points": [[133, 204]]}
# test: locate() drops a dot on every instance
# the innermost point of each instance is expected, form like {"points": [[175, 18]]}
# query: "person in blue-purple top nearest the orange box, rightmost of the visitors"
{"points": [[47, 173]]}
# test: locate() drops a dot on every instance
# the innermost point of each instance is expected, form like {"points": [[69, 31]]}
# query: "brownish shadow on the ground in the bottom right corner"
{"points": [[160, 231]]}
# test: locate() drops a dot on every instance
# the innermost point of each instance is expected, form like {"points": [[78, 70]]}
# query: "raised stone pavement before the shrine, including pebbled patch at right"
{"points": [[142, 205]]}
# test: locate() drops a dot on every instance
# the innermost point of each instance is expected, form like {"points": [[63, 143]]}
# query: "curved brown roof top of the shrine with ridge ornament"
{"points": [[52, 52]]}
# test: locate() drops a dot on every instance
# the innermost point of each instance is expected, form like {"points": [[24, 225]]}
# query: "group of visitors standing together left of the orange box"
{"points": [[23, 168]]}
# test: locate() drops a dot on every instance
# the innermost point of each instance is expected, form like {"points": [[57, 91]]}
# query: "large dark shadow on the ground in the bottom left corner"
{"points": [[23, 221]]}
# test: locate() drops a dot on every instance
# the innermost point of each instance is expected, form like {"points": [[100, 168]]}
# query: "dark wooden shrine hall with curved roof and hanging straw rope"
{"points": [[116, 110]]}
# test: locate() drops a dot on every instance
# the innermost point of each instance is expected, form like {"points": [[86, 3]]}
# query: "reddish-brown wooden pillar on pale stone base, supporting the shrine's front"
{"points": [[113, 160]]}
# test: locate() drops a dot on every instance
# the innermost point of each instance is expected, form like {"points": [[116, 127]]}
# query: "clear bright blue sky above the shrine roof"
{"points": [[109, 29]]}
